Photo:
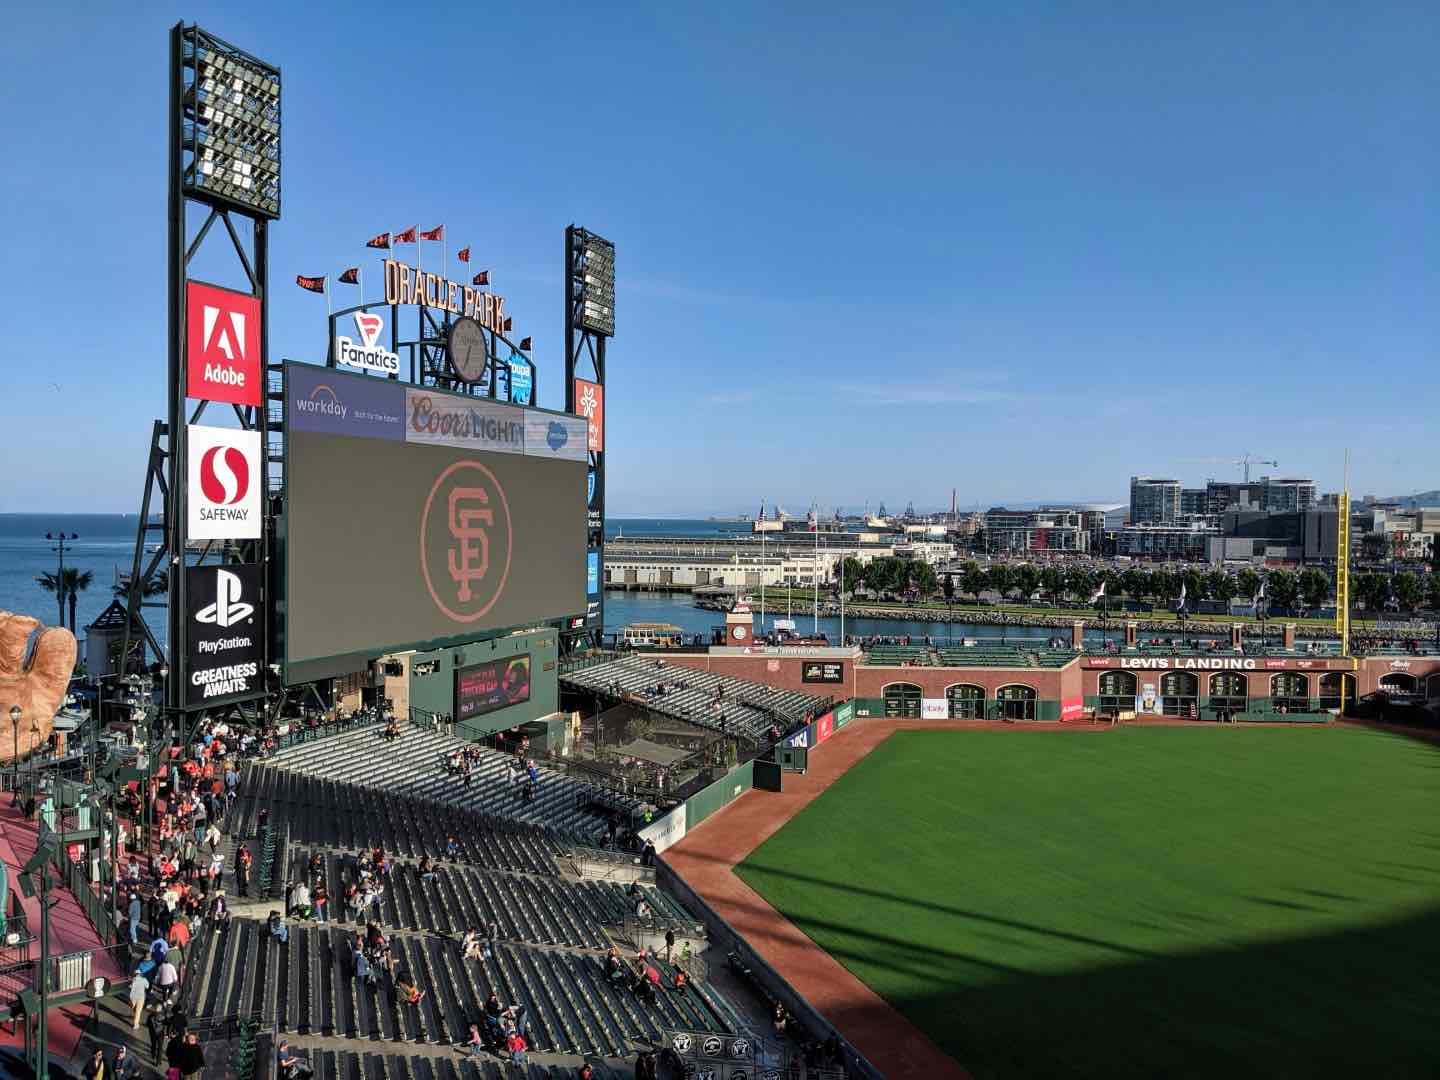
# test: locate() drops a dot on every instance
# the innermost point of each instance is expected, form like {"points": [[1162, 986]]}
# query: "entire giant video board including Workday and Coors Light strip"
{"points": [[417, 519]]}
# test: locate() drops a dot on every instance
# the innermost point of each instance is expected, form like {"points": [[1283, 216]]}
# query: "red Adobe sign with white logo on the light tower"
{"points": [[222, 345]]}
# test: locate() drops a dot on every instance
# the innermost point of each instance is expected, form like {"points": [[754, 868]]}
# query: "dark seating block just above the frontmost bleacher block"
{"points": [[542, 911]]}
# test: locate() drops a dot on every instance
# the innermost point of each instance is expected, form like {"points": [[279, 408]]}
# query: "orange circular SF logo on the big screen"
{"points": [[466, 541]]}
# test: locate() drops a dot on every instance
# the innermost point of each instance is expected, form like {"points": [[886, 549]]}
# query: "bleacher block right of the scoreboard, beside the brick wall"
{"points": [[750, 708]]}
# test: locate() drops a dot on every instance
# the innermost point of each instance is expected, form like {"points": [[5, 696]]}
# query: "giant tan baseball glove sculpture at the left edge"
{"points": [[37, 688]]}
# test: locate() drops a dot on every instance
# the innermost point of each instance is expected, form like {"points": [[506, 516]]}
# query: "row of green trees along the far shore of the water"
{"points": [[1290, 590]]}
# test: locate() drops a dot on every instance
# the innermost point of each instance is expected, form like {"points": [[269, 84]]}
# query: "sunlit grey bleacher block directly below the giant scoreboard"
{"points": [[413, 767]]}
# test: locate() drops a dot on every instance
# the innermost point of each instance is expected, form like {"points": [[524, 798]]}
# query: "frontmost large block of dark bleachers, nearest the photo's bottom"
{"points": [[307, 987]]}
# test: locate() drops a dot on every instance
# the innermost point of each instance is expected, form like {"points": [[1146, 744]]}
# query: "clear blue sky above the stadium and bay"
{"points": [[865, 251]]}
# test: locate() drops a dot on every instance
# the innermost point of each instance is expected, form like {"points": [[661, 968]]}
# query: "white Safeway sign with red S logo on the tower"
{"points": [[225, 477]]}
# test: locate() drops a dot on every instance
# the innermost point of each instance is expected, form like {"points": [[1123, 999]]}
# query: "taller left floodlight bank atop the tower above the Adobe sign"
{"points": [[230, 106]]}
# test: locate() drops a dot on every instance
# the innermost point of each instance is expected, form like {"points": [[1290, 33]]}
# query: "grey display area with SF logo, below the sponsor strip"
{"points": [[444, 544]]}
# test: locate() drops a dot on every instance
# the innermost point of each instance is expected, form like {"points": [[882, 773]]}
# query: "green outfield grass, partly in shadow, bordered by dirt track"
{"points": [[1144, 902]]}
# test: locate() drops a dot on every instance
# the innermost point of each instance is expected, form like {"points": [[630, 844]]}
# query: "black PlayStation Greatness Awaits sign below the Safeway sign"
{"points": [[227, 633]]}
